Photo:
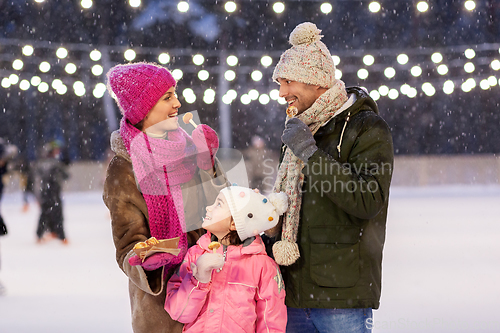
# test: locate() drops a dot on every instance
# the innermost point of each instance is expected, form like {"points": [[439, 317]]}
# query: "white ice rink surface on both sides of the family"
{"points": [[441, 268]]}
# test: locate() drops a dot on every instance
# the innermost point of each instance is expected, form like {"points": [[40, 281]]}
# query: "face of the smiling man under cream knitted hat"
{"points": [[298, 94]]}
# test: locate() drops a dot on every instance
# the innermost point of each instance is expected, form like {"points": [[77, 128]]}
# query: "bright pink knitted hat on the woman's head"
{"points": [[138, 87]]}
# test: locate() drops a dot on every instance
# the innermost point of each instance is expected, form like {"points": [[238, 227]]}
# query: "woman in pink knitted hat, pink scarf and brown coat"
{"points": [[157, 185]]}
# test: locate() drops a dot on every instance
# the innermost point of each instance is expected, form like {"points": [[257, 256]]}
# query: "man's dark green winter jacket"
{"points": [[343, 213]]}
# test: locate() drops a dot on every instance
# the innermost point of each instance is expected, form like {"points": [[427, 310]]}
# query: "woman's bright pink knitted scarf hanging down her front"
{"points": [[160, 166]]}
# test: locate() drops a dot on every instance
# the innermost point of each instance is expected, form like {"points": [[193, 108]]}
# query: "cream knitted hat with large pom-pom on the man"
{"points": [[308, 60]]}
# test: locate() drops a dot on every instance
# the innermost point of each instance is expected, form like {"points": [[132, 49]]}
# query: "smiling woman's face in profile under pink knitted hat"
{"points": [[163, 116]]}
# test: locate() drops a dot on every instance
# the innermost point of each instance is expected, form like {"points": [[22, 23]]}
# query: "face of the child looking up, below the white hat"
{"points": [[218, 218]]}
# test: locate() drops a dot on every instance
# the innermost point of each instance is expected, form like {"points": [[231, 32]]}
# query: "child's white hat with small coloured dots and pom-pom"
{"points": [[254, 213]]}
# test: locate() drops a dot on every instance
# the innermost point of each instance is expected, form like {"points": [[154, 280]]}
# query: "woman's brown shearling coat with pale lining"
{"points": [[129, 220]]}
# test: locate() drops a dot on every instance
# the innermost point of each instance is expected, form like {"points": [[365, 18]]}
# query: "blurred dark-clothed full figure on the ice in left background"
{"points": [[51, 173]]}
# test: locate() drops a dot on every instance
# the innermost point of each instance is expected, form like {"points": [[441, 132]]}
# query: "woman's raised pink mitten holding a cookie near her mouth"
{"points": [[207, 144]]}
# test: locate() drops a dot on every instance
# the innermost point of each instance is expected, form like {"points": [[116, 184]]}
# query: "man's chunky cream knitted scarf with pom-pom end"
{"points": [[290, 177]]}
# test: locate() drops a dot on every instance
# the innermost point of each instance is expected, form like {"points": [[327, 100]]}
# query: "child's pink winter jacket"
{"points": [[247, 295]]}
